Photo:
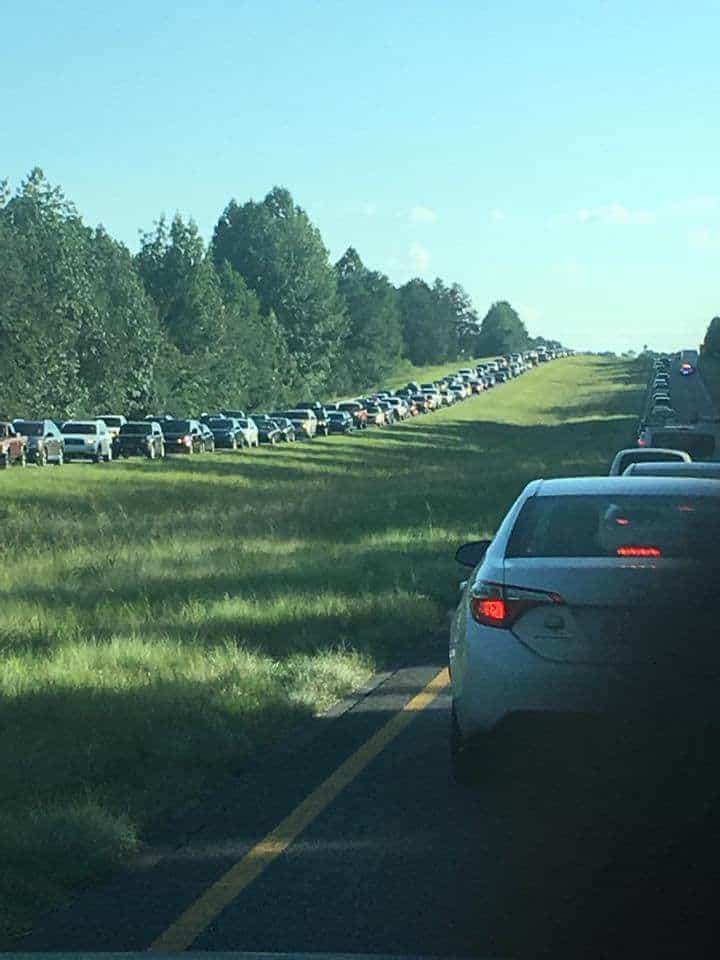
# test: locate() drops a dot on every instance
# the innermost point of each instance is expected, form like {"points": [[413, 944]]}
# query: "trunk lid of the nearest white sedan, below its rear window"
{"points": [[620, 611]]}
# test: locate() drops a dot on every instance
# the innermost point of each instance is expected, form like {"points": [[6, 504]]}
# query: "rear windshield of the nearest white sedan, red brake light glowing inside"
{"points": [[680, 527]]}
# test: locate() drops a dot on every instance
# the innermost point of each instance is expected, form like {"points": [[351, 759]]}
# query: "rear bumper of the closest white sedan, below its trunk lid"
{"points": [[496, 676]]}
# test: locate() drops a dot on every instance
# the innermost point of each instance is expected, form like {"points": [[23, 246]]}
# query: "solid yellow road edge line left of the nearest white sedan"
{"points": [[199, 915]]}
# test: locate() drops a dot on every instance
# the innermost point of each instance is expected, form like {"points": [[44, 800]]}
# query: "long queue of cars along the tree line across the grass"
{"points": [[112, 436]]}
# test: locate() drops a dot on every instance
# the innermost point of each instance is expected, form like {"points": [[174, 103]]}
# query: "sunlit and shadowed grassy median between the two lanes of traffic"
{"points": [[159, 622]]}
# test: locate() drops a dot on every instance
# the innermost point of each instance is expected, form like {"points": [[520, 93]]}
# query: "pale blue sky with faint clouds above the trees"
{"points": [[563, 155]]}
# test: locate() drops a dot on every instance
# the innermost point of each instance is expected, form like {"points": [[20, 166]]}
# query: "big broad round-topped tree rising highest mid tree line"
{"points": [[281, 256]]}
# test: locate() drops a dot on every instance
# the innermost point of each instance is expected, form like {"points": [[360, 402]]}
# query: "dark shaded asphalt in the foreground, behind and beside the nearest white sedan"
{"points": [[580, 840]]}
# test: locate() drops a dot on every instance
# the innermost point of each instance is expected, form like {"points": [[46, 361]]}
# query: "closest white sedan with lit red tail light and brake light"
{"points": [[582, 604]]}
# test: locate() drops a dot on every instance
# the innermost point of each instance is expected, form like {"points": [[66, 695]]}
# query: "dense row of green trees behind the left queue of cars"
{"points": [[258, 316]]}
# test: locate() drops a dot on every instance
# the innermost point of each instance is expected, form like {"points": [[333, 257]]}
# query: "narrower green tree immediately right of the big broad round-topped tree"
{"points": [[374, 342]]}
